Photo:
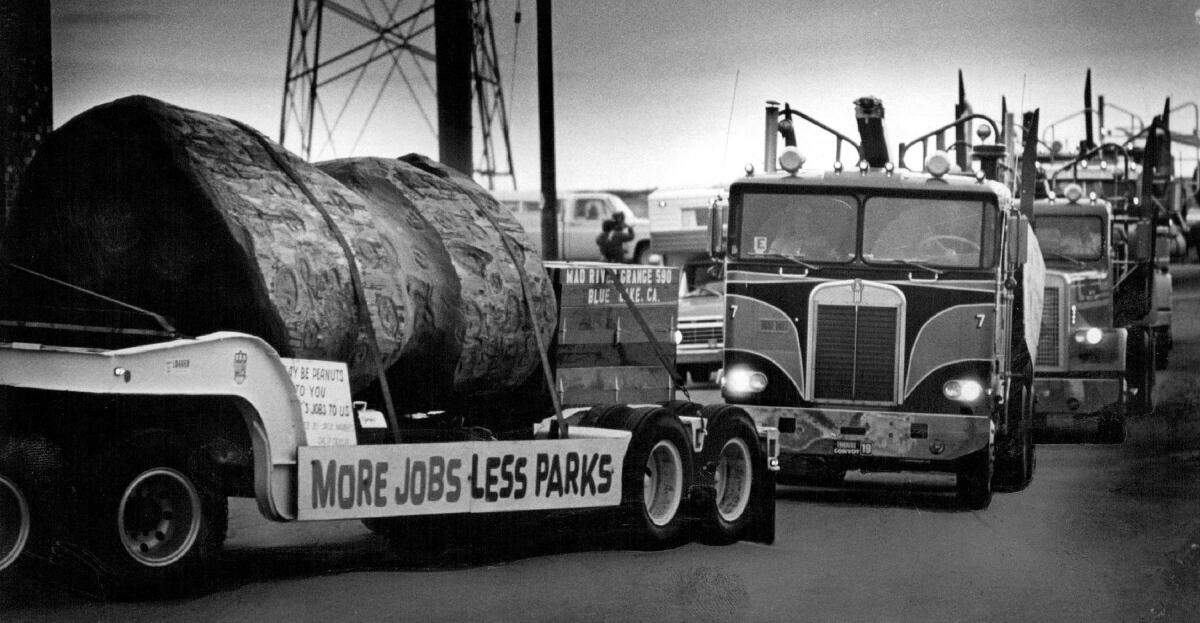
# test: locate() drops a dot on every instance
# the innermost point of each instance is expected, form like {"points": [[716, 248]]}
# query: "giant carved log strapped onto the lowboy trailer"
{"points": [[207, 223]]}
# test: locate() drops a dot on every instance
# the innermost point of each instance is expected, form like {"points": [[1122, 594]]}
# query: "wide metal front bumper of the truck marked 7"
{"points": [[873, 440]]}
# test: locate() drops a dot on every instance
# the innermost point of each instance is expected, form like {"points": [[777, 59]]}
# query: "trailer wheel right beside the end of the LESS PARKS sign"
{"points": [[657, 477]]}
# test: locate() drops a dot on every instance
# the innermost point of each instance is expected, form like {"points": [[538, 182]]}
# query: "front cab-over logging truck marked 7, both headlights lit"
{"points": [[878, 316]]}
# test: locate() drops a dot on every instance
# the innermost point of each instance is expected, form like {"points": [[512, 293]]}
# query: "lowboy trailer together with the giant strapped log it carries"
{"points": [[189, 314]]}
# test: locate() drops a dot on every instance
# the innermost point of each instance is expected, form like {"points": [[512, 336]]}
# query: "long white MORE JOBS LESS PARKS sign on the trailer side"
{"points": [[459, 477]]}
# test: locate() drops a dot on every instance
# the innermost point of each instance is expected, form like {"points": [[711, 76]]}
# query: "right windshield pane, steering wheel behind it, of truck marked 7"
{"points": [[934, 232]]}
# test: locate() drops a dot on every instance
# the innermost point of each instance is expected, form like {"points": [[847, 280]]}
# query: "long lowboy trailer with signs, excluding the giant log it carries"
{"points": [[134, 452]]}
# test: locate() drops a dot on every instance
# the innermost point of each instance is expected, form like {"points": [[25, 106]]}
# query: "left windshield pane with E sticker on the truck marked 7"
{"points": [[807, 227]]}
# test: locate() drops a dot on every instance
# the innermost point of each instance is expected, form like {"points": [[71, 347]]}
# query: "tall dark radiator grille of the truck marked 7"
{"points": [[856, 354]]}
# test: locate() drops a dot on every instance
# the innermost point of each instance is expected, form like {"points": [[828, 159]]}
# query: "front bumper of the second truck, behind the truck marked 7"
{"points": [[1061, 402]]}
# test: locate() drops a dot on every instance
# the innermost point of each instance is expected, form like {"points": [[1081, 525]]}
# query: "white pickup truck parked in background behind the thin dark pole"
{"points": [[580, 218]]}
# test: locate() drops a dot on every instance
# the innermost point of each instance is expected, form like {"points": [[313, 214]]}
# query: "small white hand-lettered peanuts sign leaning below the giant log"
{"points": [[325, 393]]}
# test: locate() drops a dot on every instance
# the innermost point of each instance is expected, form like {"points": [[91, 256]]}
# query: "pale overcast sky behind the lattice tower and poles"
{"points": [[645, 91]]}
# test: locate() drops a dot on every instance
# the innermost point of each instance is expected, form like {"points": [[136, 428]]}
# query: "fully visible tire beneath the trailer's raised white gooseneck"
{"points": [[160, 518]]}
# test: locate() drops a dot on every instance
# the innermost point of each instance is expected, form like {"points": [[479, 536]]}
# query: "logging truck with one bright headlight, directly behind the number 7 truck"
{"points": [[1107, 322]]}
